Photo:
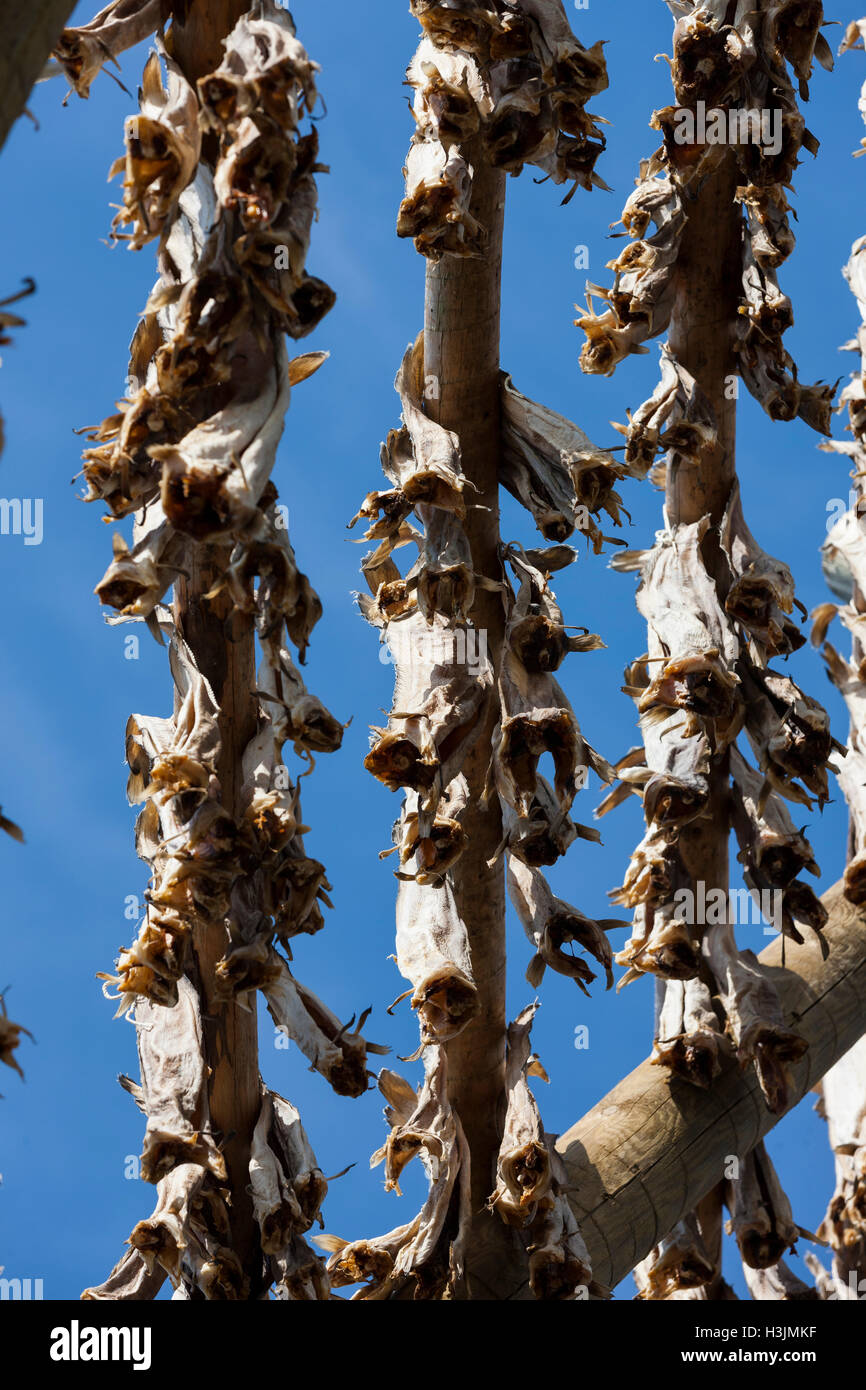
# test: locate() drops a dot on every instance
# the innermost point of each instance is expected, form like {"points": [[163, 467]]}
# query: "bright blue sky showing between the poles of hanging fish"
{"points": [[66, 690]]}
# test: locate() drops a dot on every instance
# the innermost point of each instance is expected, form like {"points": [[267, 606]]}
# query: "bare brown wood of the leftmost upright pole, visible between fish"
{"points": [[231, 1042]]}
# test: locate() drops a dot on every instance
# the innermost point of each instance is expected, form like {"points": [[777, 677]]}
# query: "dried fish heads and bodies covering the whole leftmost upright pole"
{"points": [[191, 454]]}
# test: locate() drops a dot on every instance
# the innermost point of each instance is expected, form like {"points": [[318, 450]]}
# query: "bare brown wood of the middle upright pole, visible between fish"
{"points": [[462, 355]]}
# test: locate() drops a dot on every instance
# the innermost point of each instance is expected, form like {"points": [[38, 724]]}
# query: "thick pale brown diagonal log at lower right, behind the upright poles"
{"points": [[654, 1147]]}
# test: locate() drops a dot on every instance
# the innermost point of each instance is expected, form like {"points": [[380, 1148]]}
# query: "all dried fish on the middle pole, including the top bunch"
{"points": [[512, 80]]}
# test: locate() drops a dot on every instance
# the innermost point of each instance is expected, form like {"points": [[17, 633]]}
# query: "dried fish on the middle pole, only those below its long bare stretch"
{"points": [[444, 687]]}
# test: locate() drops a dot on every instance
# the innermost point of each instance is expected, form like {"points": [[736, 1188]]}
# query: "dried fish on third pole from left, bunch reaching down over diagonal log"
{"points": [[696, 690]]}
